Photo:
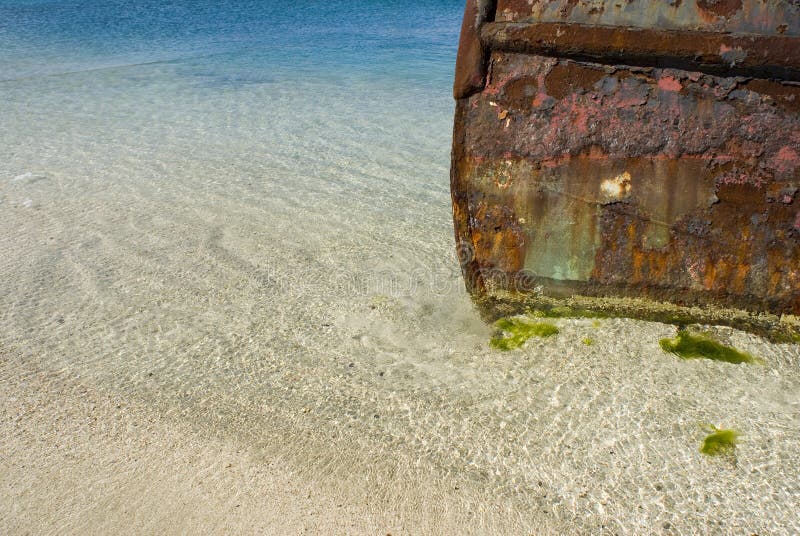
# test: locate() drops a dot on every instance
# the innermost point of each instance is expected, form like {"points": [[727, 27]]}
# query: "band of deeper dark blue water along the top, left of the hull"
{"points": [[413, 42]]}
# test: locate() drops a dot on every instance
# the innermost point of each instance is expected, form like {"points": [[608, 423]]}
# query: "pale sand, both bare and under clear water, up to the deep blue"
{"points": [[250, 329]]}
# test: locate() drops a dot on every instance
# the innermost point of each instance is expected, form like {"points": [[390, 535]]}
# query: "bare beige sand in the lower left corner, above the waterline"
{"points": [[75, 460]]}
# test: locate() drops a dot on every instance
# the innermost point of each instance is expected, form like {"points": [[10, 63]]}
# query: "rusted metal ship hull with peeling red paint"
{"points": [[612, 161]]}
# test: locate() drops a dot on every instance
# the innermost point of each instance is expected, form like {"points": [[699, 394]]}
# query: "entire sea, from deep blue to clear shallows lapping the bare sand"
{"points": [[239, 213]]}
